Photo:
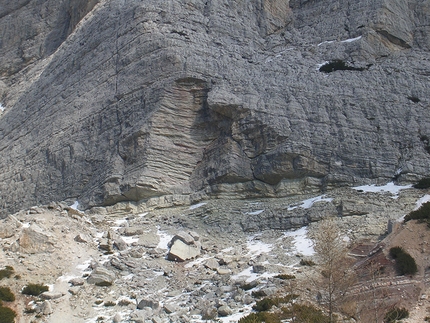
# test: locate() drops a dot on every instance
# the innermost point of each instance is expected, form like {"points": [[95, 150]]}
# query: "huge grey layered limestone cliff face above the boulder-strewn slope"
{"points": [[131, 99]]}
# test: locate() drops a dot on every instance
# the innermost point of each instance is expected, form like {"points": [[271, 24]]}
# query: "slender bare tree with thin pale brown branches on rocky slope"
{"points": [[336, 267]]}
